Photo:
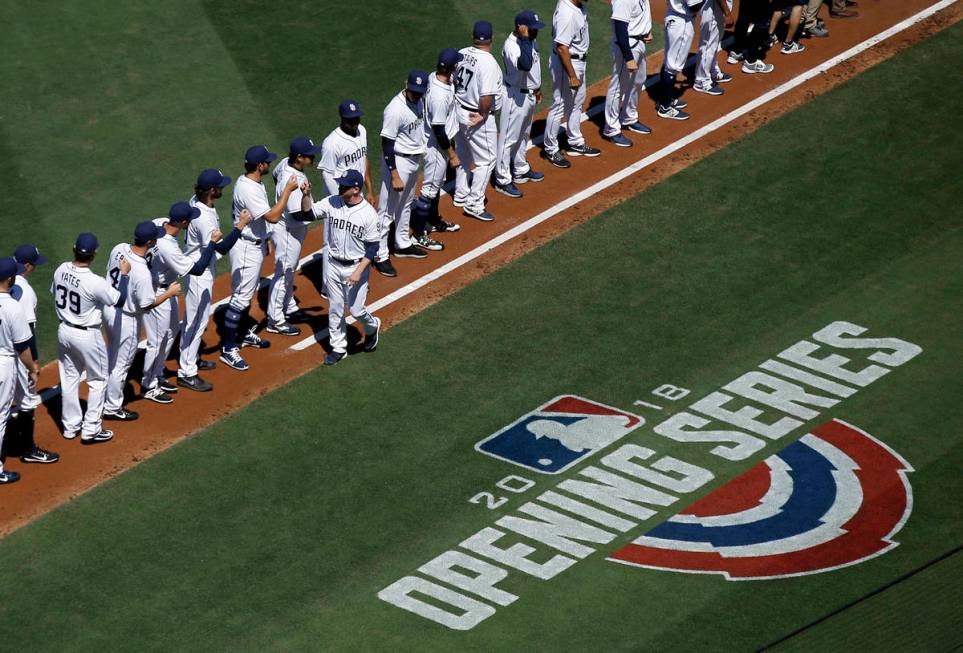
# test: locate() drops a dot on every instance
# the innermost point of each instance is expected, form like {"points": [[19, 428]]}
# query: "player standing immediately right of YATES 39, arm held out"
{"points": [[124, 322]]}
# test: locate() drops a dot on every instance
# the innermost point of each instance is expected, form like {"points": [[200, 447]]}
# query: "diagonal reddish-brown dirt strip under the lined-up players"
{"points": [[43, 488]]}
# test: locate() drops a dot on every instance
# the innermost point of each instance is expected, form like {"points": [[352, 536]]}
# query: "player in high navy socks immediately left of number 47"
{"points": [[441, 124]]}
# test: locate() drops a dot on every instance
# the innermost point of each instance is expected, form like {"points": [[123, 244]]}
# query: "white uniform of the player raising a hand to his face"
{"points": [[515, 122]]}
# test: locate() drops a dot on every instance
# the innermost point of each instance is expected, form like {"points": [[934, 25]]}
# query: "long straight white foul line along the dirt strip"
{"points": [[639, 165]]}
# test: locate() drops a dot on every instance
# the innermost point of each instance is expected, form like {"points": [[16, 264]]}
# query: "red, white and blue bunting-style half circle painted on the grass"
{"points": [[833, 498]]}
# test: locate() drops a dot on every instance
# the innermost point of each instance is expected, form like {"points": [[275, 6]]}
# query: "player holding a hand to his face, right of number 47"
{"points": [[523, 90]]}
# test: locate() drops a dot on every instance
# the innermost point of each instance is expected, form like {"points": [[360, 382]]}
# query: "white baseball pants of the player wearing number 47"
{"points": [[477, 149]]}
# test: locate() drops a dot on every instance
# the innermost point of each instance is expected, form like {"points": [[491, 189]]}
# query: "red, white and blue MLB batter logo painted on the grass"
{"points": [[559, 434]]}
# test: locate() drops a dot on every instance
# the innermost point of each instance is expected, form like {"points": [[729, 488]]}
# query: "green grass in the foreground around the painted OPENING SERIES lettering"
{"points": [[276, 528]]}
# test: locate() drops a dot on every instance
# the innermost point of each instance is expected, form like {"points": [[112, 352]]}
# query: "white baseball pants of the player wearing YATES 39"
{"points": [[79, 351]]}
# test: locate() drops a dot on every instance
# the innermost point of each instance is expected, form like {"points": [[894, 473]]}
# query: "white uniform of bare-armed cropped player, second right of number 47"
{"points": [[570, 28]]}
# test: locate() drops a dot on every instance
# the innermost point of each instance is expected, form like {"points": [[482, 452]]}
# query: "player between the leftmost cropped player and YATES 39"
{"points": [[26, 399]]}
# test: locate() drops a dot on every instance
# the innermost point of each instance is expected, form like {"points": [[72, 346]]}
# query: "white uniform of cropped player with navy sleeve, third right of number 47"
{"points": [[622, 99]]}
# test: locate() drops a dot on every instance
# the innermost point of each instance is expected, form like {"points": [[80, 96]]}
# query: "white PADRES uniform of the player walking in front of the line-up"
{"points": [[346, 230]]}
